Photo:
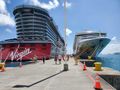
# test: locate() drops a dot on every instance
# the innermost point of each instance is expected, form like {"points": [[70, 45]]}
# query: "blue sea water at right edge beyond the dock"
{"points": [[110, 60]]}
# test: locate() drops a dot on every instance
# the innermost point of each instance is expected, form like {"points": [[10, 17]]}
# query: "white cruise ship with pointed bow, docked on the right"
{"points": [[89, 44]]}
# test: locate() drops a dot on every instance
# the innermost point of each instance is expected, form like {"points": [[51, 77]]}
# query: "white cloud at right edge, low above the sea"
{"points": [[112, 47]]}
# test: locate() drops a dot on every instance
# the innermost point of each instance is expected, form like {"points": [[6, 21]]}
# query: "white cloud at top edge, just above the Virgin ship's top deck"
{"points": [[50, 5]]}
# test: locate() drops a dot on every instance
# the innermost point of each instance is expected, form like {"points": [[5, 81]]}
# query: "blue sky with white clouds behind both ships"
{"points": [[95, 15]]}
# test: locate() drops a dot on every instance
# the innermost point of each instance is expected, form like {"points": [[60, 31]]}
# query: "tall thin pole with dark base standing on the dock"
{"points": [[65, 26]]}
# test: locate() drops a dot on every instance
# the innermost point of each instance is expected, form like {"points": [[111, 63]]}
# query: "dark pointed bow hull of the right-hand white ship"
{"points": [[91, 47]]}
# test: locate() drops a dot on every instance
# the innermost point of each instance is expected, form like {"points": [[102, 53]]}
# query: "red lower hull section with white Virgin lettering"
{"points": [[25, 51]]}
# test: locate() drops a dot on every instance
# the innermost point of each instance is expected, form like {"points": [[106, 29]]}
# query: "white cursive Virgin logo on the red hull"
{"points": [[20, 55]]}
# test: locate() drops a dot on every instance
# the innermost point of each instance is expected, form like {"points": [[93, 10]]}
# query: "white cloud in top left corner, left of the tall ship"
{"points": [[5, 18]]}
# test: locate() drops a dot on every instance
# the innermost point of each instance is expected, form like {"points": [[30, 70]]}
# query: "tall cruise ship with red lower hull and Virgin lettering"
{"points": [[37, 36]]}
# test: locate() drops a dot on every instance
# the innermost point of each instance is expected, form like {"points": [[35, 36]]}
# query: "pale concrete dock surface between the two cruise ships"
{"points": [[49, 76]]}
